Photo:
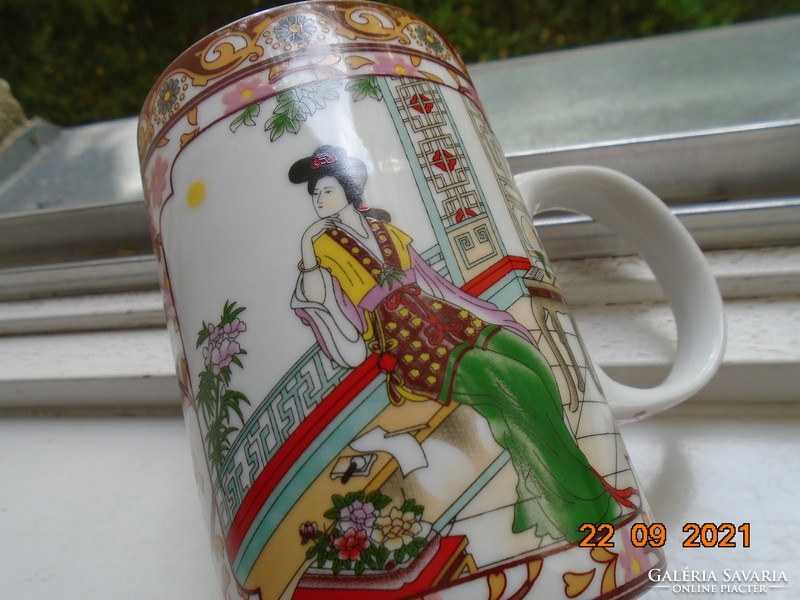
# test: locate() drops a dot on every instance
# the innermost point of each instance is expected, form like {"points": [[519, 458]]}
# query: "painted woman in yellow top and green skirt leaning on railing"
{"points": [[363, 289]]}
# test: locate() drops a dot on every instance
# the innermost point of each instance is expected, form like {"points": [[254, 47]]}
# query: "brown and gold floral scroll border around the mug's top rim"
{"points": [[281, 48]]}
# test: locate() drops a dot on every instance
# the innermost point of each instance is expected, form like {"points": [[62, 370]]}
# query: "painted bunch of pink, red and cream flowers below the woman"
{"points": [[367, 533]]}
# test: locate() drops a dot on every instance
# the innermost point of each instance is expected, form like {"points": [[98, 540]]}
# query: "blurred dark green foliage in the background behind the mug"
{"points": [[78, 61]]}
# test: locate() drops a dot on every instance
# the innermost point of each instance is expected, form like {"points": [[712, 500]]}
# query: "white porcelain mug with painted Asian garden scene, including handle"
{"points": [[384, 388]]}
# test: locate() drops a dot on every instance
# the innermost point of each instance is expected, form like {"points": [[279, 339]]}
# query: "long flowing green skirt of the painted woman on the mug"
{"points": [[508, 382]]}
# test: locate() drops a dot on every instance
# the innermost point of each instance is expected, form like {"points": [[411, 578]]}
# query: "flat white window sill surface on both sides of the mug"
{"points": [[133, 477]]}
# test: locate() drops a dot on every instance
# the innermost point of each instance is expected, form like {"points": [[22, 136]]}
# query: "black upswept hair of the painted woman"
{"points": [[350, 172]]}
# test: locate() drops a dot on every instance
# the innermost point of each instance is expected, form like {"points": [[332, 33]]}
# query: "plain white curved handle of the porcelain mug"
{"points": [[638, 216]]}
